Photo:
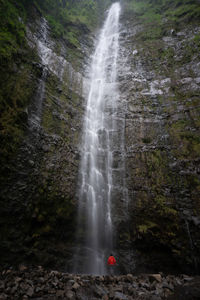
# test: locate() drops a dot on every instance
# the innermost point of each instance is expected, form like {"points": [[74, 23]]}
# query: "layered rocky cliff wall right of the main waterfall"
{"points": [[159, 84]]}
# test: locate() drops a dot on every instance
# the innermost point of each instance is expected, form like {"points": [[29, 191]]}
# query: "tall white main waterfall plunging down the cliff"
{"points": [[95, 226]]}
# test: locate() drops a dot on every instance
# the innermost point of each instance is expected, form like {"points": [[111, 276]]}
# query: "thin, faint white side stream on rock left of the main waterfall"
{"points": [[50, 61]]}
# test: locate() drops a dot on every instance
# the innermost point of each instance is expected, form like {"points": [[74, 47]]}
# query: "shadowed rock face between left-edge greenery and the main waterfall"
{"points": [[38, 192]]}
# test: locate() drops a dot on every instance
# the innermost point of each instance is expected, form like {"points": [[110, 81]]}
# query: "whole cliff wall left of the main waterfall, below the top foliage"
{"points": [[39, 175]]}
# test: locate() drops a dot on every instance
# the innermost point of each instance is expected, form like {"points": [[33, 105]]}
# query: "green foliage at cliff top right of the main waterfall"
{"points": [[158, 15]]}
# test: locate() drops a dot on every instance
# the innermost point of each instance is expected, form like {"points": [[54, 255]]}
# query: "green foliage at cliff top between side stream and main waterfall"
{"points": [[70, 19]]}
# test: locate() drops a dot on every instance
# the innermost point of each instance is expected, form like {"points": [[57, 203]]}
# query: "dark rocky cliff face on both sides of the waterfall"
{"points": [[156, 203]]}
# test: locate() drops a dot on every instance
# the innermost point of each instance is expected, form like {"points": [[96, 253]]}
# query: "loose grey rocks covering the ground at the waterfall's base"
{"points": [[38, 283]]}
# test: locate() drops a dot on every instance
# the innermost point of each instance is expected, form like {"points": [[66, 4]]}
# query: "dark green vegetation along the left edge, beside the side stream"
{"points": [[16, 86]]}
